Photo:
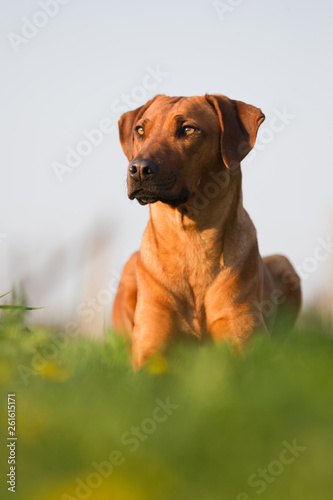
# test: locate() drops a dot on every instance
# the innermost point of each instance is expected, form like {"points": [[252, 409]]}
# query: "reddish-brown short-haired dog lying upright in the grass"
{"points": [[198, 271]]}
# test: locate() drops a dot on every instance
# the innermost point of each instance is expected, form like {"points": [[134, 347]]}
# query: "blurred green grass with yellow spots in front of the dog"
{"points": [[231, 416]]}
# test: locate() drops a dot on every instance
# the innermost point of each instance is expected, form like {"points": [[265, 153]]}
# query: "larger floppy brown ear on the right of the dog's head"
{"points": [[239, 124]]}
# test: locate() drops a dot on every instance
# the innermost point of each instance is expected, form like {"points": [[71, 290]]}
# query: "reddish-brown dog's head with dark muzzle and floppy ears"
{"points": [[173, 143]]}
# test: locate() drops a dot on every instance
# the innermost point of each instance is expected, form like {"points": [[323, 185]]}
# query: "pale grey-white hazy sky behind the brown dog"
{"points": [[88, 61]]}
